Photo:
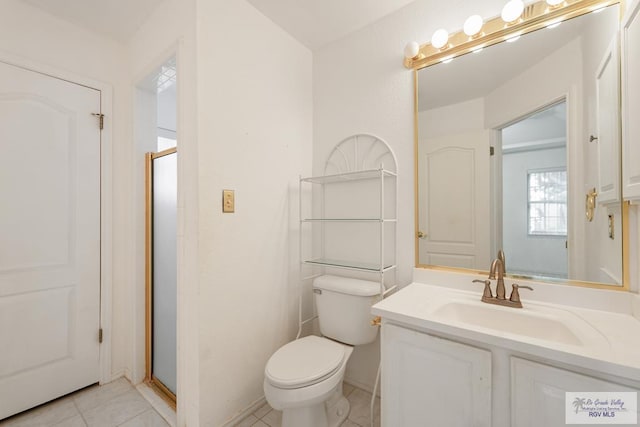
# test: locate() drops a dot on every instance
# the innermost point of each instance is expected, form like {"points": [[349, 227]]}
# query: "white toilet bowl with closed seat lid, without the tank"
{"points": [[303, 379]]}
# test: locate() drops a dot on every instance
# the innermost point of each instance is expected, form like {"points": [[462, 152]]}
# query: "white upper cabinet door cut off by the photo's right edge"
{"points": [[631, 101]]}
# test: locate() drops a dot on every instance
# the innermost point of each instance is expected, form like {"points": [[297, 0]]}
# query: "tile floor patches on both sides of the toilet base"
{"points": [[359, 414]]}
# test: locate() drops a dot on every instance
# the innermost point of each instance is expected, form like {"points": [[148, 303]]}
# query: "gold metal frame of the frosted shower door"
{"points": [[150, 379]]}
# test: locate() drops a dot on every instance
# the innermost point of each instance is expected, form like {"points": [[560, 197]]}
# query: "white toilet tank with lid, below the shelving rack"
{"points": [[344, 308]]}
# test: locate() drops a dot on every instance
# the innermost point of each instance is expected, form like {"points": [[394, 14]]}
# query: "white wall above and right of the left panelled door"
{"points": [[34, 38]]}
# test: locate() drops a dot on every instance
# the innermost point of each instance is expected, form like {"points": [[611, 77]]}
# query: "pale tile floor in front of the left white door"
{"points": [[117, 404]]}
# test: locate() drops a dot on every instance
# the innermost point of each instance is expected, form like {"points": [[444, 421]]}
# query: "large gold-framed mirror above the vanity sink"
{"points": [[518, 149]]}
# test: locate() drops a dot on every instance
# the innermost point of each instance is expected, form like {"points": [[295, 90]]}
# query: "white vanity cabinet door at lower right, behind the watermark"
{"points": [[538, 392]]}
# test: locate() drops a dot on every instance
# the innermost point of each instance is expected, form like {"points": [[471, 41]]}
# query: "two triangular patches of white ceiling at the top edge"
{"points": [[314, 23]]}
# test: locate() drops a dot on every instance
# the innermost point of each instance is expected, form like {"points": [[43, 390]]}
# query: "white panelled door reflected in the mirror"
{"points": [[455, 200]]}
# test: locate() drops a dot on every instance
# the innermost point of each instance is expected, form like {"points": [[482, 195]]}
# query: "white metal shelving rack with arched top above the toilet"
{"points": [[344, 219]]}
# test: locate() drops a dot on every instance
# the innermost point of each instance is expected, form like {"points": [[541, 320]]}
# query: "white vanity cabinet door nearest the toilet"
{"points": [[429, 381]]}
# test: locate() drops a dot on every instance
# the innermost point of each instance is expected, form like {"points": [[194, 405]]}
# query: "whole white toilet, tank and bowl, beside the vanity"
{"points": [[303, 379]]}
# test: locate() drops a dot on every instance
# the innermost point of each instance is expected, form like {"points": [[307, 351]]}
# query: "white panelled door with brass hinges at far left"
{"points": [[49, 238]]}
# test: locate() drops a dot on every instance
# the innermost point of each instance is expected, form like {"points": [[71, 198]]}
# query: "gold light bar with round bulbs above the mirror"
{"points": [[534, 17]]}
